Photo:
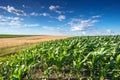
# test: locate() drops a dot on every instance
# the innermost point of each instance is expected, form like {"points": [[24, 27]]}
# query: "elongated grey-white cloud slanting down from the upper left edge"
{"points": [[13, 10]]}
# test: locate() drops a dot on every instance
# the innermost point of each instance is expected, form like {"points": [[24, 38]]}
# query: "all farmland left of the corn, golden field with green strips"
{"points": [[10, 44]]}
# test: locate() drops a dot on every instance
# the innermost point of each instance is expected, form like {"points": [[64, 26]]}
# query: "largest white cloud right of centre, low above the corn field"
{"points": [[81, 24]]}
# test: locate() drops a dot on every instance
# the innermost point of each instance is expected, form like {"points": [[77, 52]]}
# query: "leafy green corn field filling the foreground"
{"points": [[86, 57]]}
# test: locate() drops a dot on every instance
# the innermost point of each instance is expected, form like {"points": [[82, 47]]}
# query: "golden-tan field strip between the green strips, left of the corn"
{"points": [[9, 42]]}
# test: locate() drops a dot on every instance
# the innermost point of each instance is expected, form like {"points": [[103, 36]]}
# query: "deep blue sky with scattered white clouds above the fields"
{"points": [[60, 17]]}
